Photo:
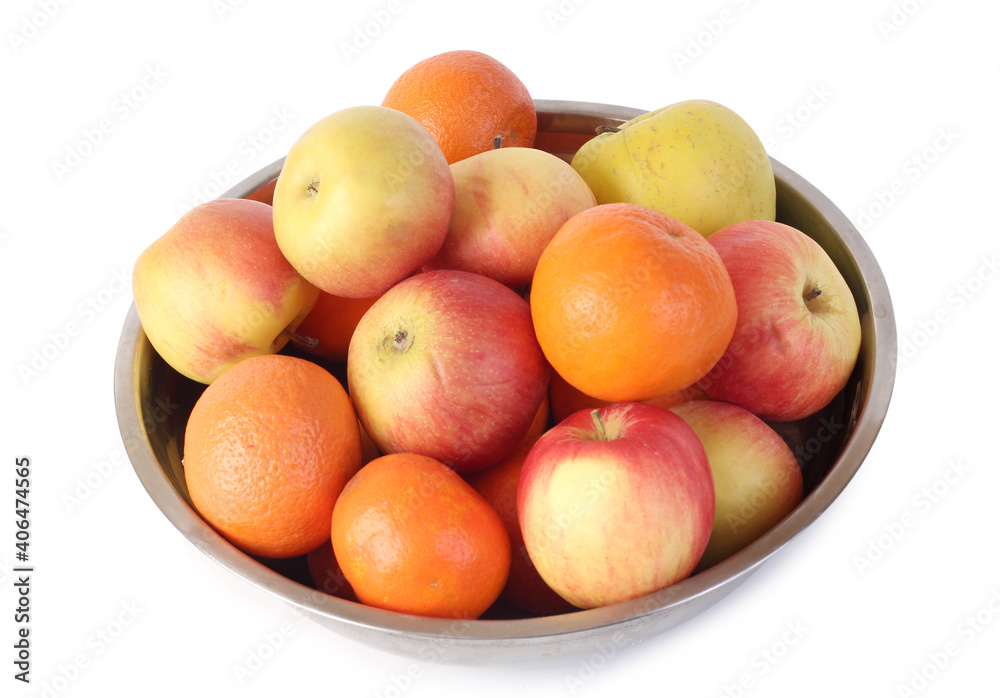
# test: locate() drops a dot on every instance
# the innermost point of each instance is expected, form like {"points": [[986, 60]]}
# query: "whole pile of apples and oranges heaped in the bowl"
{"points": [[450, 368]]}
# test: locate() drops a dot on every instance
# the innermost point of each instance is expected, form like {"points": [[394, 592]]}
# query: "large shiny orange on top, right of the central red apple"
{"points": [[629, 303]]}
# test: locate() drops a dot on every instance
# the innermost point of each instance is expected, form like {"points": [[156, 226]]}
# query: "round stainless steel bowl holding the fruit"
{"points": [[153, 402]]}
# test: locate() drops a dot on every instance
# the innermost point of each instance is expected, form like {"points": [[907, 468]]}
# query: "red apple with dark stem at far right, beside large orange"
{"points": [[798, 333]]}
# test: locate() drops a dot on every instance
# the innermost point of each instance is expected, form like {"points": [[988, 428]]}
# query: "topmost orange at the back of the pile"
{"points": [[470, 102]]}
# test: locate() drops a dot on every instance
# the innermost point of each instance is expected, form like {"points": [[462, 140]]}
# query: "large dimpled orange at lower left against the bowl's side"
{"points": [[268, 448]]}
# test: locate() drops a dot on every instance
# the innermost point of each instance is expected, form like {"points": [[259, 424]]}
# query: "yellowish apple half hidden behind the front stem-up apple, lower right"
{"points": [[757, 478]]}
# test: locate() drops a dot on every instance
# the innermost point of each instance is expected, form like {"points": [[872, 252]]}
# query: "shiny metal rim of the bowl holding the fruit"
{"points": [[545, 629]]}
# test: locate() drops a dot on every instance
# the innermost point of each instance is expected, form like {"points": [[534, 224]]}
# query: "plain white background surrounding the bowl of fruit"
{"points": [[846, 94]]}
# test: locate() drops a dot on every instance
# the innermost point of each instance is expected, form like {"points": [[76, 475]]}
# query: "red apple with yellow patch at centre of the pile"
{"points": [[446, 364]]}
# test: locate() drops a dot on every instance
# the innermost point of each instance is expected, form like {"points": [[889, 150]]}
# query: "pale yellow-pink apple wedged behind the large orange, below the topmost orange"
{"points": [[509, 202]]}
